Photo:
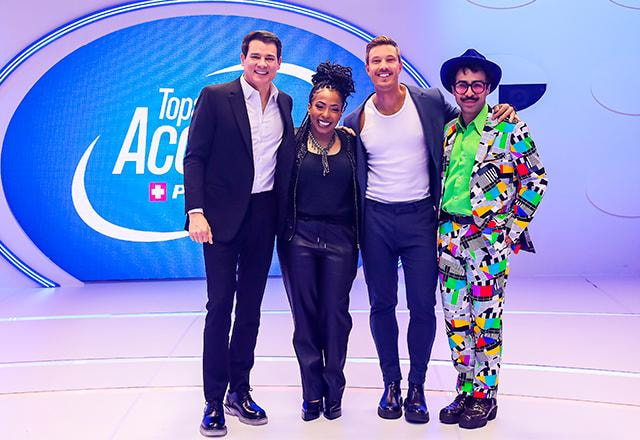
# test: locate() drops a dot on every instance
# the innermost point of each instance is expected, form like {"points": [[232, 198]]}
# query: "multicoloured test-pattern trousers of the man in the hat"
{"points": [[473, 269]]}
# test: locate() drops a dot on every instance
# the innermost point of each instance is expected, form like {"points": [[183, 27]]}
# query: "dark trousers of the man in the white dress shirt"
{"points": [[238, 268]]}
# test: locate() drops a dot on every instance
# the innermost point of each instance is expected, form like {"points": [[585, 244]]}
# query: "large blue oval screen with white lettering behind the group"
{"points": [[92, 158]]}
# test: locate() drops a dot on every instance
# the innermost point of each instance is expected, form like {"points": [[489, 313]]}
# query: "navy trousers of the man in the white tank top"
{"points": [[406, 231]]}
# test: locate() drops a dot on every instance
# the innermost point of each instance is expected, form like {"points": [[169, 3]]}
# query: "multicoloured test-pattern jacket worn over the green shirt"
{"points": [[507, 180]]}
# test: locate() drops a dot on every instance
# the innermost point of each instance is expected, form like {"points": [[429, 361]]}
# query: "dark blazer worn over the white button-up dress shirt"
{"points": [[218, 164]]}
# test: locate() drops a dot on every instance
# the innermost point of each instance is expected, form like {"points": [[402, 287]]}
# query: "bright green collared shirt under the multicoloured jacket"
{"points": [[456, 198]]}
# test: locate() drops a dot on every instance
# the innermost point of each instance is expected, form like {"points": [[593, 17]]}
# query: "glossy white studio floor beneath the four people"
{"points": [[122, 360]]}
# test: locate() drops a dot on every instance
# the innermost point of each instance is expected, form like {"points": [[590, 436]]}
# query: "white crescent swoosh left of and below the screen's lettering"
{"points": [[97, 223]]}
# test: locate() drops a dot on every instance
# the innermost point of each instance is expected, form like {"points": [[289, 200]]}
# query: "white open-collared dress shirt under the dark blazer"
{"points": [[267, 129]]}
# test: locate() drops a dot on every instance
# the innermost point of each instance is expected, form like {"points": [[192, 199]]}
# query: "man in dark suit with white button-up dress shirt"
{"points": [[236, 170]]}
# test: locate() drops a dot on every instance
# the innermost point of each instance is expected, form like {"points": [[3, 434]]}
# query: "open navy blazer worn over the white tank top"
{"points": [[434, 112]]}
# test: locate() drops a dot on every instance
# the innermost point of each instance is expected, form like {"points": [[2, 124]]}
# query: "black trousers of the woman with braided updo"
{"points": [[318, 267]]}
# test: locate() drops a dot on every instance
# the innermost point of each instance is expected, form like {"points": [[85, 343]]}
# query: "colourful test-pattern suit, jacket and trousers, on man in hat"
{"points": [[506, 186]]}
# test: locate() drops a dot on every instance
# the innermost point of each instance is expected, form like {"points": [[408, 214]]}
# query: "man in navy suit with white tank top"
{"points": [[399, 162]]}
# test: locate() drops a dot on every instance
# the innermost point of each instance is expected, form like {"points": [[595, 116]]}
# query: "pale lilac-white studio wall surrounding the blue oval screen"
{"points": [[585, 125]]}
